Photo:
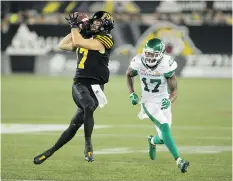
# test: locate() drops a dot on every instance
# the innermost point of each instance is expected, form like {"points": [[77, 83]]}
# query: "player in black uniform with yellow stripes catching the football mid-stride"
{"points": [[93, 43]]}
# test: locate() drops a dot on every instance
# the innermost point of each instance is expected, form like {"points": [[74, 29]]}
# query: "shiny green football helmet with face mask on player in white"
{"points": [[153, 52]]}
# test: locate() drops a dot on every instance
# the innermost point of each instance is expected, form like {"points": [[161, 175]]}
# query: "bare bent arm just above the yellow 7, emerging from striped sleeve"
{"points": [[79, 41]]}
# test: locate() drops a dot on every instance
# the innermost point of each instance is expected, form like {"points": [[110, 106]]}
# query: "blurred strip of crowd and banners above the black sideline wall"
{"points": [[178, 12]]}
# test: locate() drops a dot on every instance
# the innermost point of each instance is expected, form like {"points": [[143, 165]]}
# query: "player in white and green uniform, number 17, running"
{"points": [[156, 71]]}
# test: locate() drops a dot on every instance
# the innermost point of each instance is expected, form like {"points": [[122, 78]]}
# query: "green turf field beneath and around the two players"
{"points": [[201, 127]]}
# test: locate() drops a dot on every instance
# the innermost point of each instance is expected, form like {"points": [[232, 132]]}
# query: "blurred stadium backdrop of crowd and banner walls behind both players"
{"points": [[197, 33]]}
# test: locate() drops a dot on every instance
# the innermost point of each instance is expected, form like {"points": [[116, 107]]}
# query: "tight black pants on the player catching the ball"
{"points": [[87, 103]]}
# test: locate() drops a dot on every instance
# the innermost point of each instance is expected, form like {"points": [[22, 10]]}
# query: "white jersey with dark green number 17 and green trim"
{"points": [[153, 81]]}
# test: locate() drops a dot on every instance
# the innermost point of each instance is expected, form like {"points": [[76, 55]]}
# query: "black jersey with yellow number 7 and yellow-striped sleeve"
{"points": [[92, 66]]}
